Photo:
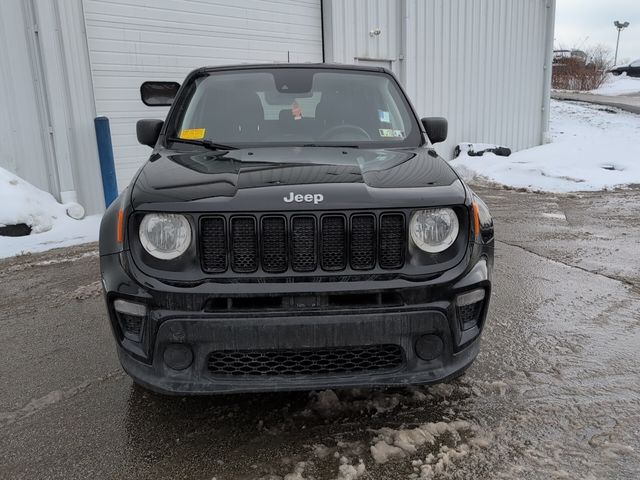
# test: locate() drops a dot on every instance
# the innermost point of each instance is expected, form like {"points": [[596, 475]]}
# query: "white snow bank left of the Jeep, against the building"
{"points": [[51, 226]]}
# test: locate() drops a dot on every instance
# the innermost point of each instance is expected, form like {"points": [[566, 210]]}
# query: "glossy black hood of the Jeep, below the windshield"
{"points": [[260, 178]]}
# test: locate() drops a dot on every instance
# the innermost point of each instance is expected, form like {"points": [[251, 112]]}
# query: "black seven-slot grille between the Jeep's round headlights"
{"points": [[302, 243]]}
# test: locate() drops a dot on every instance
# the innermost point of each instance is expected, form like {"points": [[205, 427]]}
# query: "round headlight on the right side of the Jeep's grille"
{"points": [[434, 230]]}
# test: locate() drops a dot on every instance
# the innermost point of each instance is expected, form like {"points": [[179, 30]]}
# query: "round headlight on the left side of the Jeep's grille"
{"points": [[165, 235]]}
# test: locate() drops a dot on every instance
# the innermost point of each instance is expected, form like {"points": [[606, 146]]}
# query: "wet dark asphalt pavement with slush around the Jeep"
{"points": [[555, 392]]}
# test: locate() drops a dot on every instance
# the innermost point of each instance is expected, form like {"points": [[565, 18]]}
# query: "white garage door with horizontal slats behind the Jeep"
{"points": [[131, 41]]}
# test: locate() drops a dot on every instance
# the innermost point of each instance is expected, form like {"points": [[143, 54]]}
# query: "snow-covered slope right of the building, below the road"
{"points": [[593, 148]]}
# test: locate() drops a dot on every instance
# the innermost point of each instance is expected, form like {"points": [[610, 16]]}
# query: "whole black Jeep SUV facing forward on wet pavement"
{"points": [[293, 228]]}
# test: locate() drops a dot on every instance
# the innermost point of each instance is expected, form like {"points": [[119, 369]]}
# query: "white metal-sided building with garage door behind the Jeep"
{"points": [[483, 64]]}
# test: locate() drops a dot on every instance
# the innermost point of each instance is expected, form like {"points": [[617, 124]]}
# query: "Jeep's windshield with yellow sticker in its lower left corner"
{"points": [[297, 106]]}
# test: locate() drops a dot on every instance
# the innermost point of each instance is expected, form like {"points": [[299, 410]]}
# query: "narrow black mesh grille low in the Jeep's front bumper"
{"points": [[324, 361]]}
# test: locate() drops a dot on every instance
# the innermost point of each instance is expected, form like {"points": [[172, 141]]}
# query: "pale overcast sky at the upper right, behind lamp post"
{"points": [[580, 23]]}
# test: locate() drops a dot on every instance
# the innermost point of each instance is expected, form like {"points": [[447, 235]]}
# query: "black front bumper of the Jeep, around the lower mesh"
{"points": [[185, 319]]}
